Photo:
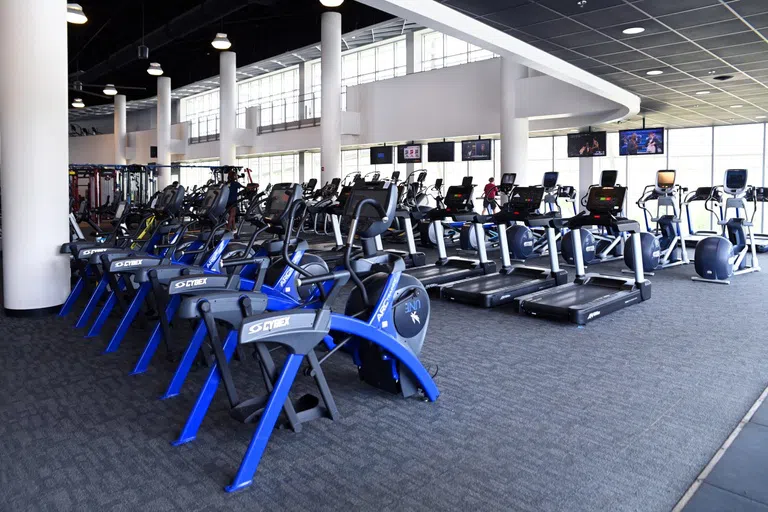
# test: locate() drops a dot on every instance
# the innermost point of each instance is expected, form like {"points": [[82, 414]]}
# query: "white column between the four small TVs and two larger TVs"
{"points": [[514, 131]]}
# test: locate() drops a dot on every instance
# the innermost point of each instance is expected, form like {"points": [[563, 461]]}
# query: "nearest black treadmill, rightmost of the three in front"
{"points": [[591, 296]]}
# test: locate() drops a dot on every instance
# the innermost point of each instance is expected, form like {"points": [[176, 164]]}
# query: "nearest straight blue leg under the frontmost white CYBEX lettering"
{"points": [[266, 425]]}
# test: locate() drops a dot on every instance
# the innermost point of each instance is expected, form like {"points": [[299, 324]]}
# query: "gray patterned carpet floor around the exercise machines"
{"points": [[534, 416]]}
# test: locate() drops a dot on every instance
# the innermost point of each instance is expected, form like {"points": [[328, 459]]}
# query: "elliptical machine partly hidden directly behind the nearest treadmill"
{"points": [[602, 243]]}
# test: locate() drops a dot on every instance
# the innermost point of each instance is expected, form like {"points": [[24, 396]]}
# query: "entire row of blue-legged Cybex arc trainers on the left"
{"points": [[268, 294]]}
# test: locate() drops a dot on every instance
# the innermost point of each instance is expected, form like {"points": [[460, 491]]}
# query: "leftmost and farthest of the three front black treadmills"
{"points": [[458, 205]]}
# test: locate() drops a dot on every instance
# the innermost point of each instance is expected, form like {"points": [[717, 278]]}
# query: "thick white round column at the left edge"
{"points": [[35, 148]]}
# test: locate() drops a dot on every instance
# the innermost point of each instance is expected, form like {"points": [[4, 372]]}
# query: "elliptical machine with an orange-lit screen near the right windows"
{"points": [[663, 246]]}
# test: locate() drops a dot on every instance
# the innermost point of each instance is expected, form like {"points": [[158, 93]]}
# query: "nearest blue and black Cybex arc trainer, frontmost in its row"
{"points": [[383, 328]]}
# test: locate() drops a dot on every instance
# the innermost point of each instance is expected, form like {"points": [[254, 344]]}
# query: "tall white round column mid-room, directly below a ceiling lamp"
{"points": [[330, 123]]}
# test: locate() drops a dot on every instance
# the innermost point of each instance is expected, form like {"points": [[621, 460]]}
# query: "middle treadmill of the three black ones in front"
{"points": [[512, 281]]}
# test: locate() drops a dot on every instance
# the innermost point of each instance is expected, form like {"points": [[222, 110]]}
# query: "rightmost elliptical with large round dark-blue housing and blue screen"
{"points": [[718, 258]]}
